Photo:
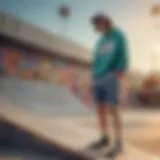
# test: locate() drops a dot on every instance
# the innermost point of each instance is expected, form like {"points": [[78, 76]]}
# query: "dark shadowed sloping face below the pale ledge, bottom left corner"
{"points": [[16, 141]]}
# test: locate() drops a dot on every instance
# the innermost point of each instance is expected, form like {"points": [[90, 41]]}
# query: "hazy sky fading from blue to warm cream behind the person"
{"points": [[130, 15]]}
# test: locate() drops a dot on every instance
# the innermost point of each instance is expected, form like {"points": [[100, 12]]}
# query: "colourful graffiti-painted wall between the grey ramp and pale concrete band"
{"points": [[28, 65]]}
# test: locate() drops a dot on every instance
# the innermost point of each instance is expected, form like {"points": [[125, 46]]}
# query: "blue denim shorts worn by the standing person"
{"points": [[106, 90]]}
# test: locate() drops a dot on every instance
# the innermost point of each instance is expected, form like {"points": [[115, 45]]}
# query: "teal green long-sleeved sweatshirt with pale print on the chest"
{"points": [[111, 54]]}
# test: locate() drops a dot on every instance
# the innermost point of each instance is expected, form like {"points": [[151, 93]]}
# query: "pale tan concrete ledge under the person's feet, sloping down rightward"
{"points": [[71, 134]]}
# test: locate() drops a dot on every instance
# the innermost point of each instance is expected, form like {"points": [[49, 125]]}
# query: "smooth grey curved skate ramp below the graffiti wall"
{"points": [[42, 97]]}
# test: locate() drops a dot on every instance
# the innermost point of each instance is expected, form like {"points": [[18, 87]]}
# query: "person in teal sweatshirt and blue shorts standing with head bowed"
{"points": [[111, 59]]}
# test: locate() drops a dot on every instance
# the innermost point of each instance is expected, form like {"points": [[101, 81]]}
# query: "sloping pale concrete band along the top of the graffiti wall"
{"points": [[20, 30]]}
